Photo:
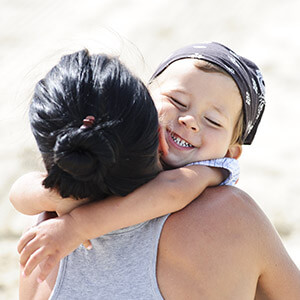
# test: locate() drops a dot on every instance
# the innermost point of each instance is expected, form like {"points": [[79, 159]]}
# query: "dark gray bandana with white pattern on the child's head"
{"points": [[244, 72]]}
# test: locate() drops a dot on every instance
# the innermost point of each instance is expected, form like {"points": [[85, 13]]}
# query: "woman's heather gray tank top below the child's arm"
{"points": [[120, 266]]}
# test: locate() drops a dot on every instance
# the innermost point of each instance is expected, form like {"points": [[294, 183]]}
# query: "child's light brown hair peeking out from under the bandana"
{"points": [[238, 129]]}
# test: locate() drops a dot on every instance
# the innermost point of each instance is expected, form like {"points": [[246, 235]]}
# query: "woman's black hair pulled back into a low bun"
{"points": [[114, 156]]}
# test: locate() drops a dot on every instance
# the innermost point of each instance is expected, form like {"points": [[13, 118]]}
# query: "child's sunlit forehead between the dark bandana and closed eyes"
{"points": [[185, 81]]}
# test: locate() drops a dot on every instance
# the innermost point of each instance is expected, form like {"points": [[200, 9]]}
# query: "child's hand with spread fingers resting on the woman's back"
{"points": [[48, 242]]}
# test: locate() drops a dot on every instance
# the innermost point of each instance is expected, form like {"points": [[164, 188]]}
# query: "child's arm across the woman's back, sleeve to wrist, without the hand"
{"points": [[170, 191]]}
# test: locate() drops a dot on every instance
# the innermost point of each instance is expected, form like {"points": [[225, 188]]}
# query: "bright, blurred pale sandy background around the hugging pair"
{"points": [[34, 34]]}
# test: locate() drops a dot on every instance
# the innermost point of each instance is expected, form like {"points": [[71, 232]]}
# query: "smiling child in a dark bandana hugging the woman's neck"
{"points": [[210, 102]]}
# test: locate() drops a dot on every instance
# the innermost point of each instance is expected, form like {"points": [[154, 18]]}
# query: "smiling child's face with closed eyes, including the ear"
{"points": [[198, 111]]}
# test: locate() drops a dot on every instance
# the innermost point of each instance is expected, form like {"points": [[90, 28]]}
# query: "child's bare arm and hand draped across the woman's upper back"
{"points": [[168, 192]]}
